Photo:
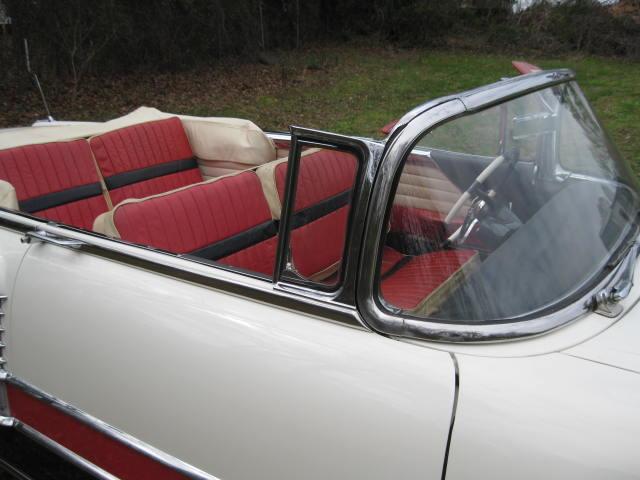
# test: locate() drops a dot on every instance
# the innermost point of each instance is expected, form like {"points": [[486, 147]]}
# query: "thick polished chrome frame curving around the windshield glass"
{"points": [[402, 139]]}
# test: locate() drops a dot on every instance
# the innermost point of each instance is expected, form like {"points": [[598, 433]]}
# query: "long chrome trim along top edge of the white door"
{"points": [[218, 277]]}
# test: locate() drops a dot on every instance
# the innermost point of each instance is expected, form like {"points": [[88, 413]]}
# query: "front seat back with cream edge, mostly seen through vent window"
{"points": [[323, 195]]}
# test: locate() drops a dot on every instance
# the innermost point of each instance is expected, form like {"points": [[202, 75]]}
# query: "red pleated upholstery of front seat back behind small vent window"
{"points": [[319, 245]]}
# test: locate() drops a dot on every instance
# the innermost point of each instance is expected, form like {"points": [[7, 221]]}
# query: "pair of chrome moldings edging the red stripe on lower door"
{"points": [[100, 426]]}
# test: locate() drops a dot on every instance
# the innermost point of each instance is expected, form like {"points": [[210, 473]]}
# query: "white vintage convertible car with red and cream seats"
{"points": [[191, 297]]}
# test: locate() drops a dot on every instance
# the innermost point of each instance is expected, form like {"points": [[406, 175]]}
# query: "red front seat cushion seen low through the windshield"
{"points": [[420, 276]]}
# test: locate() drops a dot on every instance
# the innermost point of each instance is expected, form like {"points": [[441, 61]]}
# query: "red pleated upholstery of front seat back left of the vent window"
{"points": [[201, 215]]}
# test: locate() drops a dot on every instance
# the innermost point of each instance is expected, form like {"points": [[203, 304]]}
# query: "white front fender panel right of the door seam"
{"points": [[541, 417]]}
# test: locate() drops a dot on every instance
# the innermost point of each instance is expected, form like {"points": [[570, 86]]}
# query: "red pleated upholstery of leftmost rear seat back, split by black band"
{"points": [[37, 170]]}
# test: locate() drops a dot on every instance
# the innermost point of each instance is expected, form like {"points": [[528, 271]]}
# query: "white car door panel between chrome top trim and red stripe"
{"points": [[238, 385]]}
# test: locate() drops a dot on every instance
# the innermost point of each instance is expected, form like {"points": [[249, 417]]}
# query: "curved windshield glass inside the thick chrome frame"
{"points": [[506, 213]]}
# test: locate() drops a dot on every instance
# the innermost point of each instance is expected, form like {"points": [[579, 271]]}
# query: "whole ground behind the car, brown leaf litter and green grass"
{"points": [[352, 90]]}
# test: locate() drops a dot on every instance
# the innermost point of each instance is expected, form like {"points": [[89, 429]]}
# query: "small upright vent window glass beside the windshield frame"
{"points": [[322, 183]]}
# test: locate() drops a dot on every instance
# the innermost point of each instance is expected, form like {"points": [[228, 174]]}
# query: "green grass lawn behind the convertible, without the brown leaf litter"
{"points": [[366, 89]]}
